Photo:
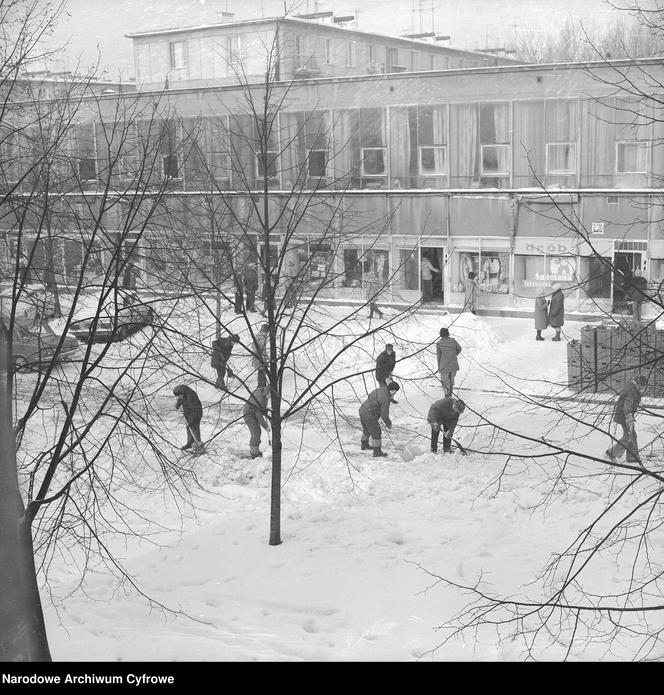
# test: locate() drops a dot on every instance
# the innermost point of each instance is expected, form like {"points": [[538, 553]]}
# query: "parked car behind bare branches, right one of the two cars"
{"points": [[120, 317]]}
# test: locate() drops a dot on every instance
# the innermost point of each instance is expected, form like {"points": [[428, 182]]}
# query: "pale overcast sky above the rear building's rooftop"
{"points": [[99, 26]]}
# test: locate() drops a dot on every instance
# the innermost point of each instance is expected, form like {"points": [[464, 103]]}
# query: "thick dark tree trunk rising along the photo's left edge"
{"points": [[22, 629]]}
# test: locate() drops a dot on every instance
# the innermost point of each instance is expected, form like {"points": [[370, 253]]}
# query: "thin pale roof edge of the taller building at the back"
{"points": [[327, 27]]}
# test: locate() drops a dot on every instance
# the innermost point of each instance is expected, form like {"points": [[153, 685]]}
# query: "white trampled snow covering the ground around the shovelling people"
{"points": [[363, 539]]}
